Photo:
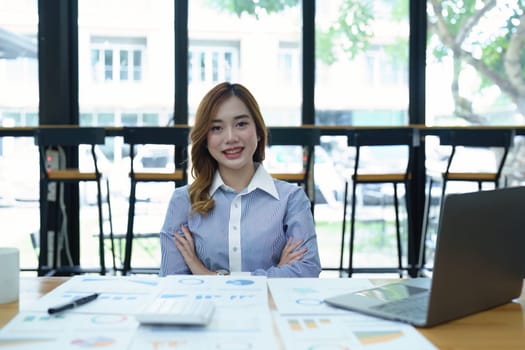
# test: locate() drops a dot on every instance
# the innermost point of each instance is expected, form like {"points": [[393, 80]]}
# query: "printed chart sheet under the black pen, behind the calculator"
{"points": [[129, 295]]}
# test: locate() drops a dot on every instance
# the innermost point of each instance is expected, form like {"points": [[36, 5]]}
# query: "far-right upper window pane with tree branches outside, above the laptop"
{"points": [[475, 63]]}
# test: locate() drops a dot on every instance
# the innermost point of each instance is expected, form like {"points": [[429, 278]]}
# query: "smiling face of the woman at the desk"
{"points": [[232, 139]]}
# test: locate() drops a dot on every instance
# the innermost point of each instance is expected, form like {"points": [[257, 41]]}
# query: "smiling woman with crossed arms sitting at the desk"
{"points": [[235, 217]]}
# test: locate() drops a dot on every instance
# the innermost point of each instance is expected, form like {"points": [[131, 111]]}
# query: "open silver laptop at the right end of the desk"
{"points": [[479, 264]]}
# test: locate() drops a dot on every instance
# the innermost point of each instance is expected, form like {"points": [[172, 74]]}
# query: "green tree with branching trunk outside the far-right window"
{"points": [[498, 56]]}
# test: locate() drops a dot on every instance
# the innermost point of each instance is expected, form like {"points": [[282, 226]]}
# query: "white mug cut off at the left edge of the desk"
{"points": [[9, 274]]}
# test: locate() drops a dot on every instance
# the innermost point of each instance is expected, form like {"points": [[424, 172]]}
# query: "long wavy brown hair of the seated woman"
{"points": [[204, 165]]}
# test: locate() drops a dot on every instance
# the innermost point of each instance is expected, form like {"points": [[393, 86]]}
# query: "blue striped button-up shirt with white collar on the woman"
{"points": [[246, 231]]}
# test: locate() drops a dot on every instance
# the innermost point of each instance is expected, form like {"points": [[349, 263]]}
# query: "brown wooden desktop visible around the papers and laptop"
{"points": [[499, 328]]}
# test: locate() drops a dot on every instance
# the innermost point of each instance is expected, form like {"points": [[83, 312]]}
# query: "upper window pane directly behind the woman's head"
{"points": [[250, 43]]}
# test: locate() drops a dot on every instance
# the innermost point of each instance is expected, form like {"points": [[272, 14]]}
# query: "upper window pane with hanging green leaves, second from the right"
{"points": [[361, 62]]}
